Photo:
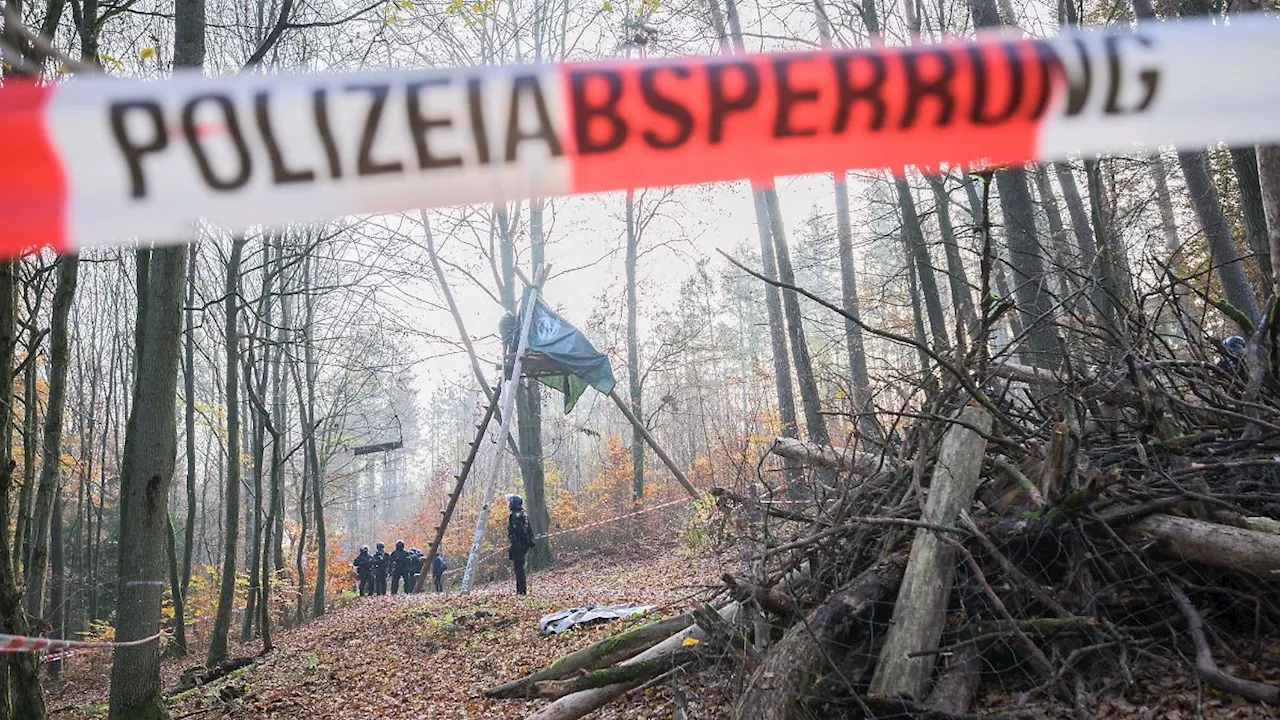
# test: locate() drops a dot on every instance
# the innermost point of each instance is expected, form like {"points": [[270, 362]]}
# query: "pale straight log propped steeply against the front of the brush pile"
{"points": [[907, 660]]}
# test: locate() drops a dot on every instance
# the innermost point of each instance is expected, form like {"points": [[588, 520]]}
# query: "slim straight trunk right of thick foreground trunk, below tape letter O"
{"points": [[231, 545]]}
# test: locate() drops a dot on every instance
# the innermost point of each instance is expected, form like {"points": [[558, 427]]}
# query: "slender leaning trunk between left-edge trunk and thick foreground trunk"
{"points": [[52, 443]]}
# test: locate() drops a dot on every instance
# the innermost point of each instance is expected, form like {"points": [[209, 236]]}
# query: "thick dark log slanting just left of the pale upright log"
{"points": [[780, 682]]}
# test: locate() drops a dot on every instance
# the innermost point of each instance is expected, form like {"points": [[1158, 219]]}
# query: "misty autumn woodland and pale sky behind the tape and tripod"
{"points": [[181, 422]]}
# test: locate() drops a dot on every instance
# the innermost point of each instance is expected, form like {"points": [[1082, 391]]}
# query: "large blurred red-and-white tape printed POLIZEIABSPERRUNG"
{"points": [[99, 162]]}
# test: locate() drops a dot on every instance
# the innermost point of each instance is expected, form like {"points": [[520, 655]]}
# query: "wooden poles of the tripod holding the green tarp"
{"points": [[506, 393]]}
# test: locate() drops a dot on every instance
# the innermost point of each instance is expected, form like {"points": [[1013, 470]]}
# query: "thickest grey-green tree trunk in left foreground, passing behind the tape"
{"points": [[150, 454]]}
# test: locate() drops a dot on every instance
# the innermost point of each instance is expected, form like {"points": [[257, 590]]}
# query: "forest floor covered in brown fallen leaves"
{"points": [[431, 657]]}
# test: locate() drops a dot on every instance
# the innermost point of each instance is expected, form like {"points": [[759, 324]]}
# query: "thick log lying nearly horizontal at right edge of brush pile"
{"points": [[1212, 544]]}
